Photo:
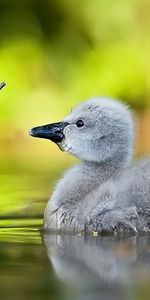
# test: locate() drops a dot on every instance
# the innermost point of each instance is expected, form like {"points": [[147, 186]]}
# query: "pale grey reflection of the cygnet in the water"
{"points": [[101, 267]]}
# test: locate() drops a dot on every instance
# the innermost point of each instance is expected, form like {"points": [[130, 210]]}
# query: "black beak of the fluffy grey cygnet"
{"points": [[53, 132]]}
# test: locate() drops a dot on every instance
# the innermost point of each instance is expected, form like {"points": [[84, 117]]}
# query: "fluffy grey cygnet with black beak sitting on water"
{"points": [[103, 192]]}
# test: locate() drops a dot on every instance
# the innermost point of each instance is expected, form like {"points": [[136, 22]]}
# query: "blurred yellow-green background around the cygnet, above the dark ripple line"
{"points": [[54, 54]]}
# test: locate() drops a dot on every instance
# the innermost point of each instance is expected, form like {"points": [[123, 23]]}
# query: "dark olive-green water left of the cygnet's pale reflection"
{"points": [[24, 269]]}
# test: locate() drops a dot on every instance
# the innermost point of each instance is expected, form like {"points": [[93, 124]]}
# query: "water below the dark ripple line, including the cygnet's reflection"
{"points": [[34, 265]]}
